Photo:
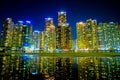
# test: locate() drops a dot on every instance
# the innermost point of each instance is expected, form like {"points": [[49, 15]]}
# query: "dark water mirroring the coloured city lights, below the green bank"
{"points": [[36, 67]]}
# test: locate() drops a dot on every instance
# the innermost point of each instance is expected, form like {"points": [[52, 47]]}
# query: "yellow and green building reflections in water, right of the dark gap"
{"points": [[99, 68]]}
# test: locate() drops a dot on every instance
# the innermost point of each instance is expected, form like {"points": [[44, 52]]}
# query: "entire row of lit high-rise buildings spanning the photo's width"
{"points": [[91, 36]]}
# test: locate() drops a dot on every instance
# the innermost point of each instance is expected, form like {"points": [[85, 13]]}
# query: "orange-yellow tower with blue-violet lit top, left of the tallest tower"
{"points": [[50, 35]]}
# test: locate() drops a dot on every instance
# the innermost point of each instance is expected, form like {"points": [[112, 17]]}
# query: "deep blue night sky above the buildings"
{"points": [[77, 10]]}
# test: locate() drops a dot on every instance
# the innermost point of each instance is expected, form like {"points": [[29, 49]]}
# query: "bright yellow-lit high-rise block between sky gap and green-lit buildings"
{"points": [[87, 35]]}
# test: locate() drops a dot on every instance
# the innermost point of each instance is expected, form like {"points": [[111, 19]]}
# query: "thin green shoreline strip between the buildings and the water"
{"points": [[67, 54]]}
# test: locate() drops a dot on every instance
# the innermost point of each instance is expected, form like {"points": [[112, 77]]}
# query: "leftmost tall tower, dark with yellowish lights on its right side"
{"points": [[7, 33]]}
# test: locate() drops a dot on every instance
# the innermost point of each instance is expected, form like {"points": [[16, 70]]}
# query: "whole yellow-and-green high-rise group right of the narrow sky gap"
{"points": [[104, 36]]}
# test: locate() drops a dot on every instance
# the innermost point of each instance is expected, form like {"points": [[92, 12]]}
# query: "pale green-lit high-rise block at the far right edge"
{"points": [[109, 36]]}
